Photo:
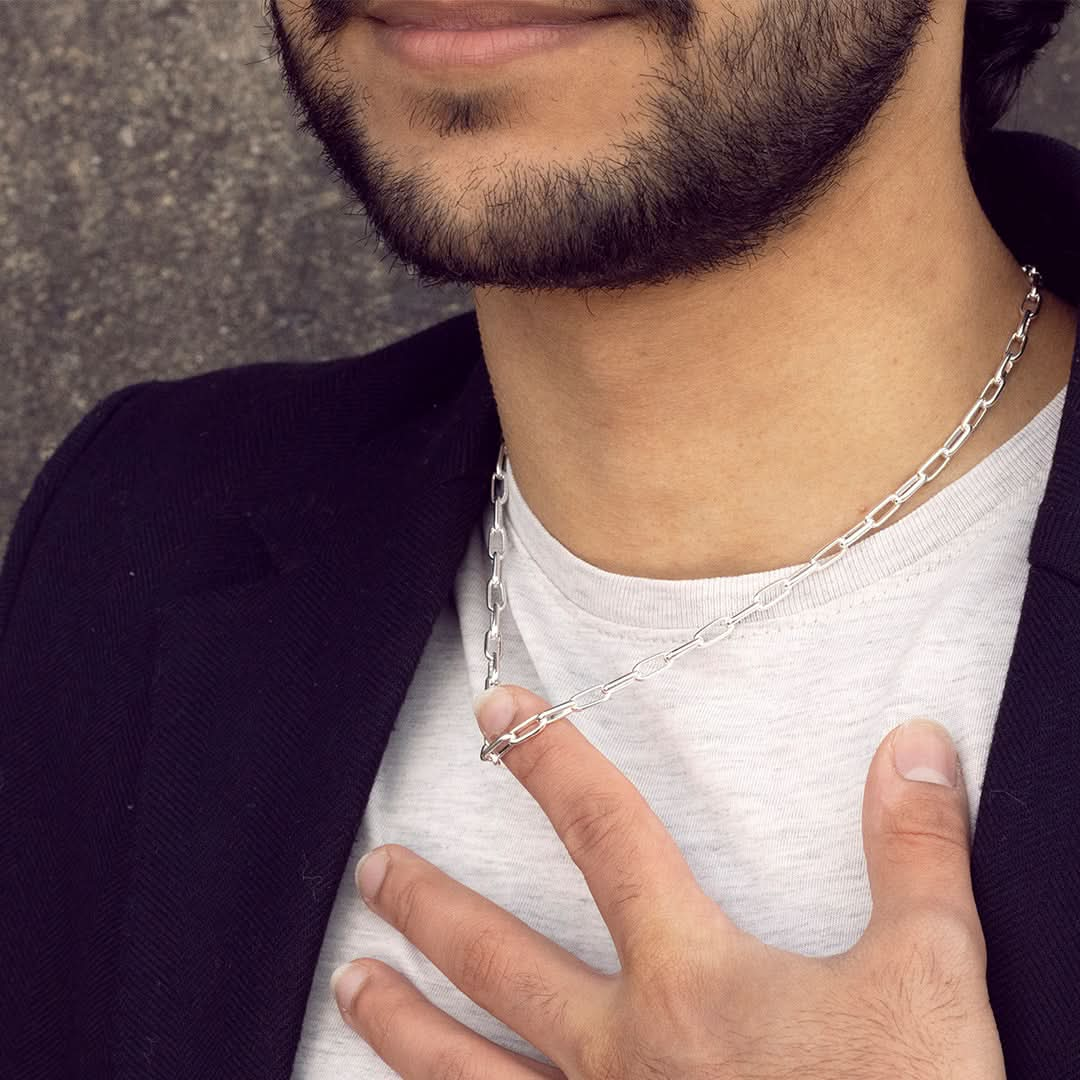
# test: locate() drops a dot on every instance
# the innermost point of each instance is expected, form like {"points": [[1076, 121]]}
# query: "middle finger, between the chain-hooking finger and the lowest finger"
{"points": [[543, 992]]}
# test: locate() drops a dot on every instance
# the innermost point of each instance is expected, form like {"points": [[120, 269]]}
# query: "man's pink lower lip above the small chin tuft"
{"points": [[433, 48]]}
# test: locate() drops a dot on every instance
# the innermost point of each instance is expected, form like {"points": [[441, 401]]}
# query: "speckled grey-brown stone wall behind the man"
{"points": [[161, 217]]}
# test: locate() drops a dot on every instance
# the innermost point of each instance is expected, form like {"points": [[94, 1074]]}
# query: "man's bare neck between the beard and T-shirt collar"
{"points": [[738, 423]]}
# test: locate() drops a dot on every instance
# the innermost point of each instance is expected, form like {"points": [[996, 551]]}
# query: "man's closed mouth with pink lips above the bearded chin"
{"points": [[464, 44]]}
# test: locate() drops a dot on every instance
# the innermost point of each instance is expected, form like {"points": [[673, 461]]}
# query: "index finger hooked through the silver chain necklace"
{"points": [[643, 886]]}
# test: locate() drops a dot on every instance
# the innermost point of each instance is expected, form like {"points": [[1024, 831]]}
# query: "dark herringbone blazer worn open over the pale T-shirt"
{"points": [[212, 604]]}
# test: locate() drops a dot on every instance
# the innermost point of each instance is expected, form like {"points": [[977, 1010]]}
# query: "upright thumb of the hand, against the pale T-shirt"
{"points": [[916, 832]]}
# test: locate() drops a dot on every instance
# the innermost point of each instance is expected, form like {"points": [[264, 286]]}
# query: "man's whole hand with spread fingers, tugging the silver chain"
{"points": [[696, 996]]}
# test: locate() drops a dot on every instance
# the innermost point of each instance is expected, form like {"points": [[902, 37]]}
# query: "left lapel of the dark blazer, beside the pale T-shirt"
{"points": [[273, 703]]}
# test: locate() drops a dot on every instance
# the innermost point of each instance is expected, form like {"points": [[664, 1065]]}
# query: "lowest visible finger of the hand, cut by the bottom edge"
{"points": [[415, 1038]]}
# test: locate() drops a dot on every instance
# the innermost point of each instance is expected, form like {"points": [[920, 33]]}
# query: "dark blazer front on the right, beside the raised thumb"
{"points": [[1027, 844]]}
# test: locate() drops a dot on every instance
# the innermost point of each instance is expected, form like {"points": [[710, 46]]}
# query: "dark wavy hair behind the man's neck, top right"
{"points": [[1002, 40]]}
